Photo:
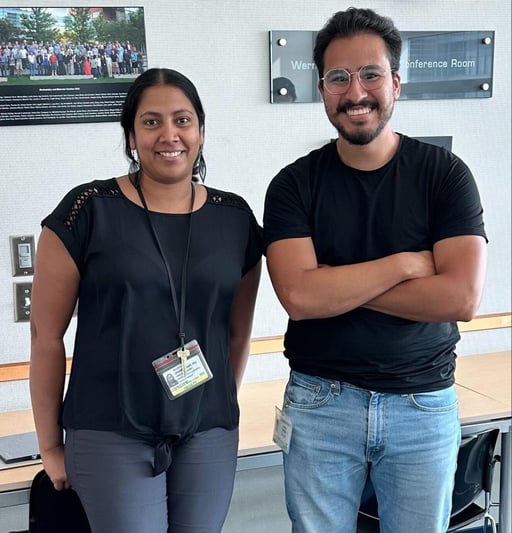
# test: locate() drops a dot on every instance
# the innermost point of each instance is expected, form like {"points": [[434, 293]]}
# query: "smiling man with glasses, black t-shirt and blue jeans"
{"points": [[375, 248]]}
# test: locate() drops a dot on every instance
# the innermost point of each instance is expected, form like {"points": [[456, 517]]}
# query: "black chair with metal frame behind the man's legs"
{"points": [[474, 475]]}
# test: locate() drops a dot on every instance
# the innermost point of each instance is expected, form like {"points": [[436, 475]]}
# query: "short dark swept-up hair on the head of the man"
{"points": [[355, 21]]}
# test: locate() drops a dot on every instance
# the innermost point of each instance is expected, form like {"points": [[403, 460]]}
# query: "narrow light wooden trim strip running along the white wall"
{"points": [[263, 345]]}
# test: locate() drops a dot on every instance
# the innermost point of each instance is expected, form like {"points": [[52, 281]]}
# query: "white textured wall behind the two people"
{"points": [[223, 47]]}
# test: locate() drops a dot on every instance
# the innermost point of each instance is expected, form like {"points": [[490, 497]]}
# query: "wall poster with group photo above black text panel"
{"points": [[68, 65]]}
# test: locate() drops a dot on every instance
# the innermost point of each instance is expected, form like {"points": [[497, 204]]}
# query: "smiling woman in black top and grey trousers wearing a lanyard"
{"points": [[165, 271]]}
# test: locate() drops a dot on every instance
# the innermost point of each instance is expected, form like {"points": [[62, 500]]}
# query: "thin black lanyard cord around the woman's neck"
{"points": [[179, 310]]}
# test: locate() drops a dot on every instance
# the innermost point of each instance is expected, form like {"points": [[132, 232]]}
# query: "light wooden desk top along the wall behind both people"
{"points": [[483, 384]]}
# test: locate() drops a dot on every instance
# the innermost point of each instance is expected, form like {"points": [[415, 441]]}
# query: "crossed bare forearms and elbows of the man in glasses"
{"points": [[440, 286]]}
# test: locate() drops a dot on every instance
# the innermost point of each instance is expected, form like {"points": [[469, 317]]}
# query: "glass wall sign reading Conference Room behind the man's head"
{"points": [[433, 65]]}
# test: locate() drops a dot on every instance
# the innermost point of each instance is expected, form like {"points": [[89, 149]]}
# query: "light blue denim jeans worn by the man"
{"points": [[406, 443]]}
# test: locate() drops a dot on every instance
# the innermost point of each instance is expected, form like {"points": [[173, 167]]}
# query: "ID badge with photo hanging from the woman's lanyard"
{"points": [[182, 370]]}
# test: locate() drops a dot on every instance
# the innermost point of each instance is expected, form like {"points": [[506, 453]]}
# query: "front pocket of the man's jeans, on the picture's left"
{"points": [[307, 392]]}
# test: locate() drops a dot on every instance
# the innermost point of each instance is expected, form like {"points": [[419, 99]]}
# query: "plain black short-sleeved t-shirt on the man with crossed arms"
{"points": [[423, 195]]}
